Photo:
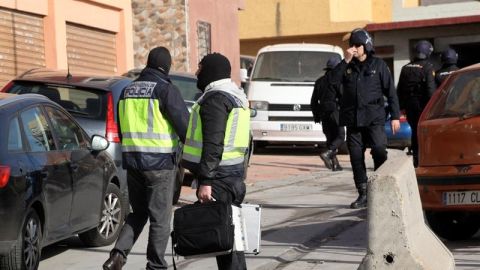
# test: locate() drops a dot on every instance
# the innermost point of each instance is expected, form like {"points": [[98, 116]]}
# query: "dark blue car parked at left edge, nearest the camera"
{"points": [[55, 182]]}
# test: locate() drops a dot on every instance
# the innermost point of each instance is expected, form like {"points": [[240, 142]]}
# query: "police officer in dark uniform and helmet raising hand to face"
{"points": [[366, 79]]}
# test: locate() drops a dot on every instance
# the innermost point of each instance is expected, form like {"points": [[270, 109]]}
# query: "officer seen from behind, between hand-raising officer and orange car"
{"points": [[415, 87]]}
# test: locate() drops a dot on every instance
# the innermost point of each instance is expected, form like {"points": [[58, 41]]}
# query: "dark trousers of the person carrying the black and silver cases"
{"points": [[231, 190]]}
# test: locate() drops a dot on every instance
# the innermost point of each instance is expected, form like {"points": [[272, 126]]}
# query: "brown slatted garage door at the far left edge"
{"points": [[21, 44]]}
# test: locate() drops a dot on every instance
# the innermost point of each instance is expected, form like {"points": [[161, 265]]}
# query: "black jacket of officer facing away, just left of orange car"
{"points": [[416, 81]]}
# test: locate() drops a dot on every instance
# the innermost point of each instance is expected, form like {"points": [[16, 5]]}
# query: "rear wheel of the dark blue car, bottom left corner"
{"points": [[25, 255]]}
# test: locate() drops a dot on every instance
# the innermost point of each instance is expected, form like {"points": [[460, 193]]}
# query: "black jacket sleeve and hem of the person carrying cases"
{"points": [[214, 111]]}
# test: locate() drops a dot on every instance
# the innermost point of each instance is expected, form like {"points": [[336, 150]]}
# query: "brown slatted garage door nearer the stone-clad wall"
{"points": [[91, 50]]}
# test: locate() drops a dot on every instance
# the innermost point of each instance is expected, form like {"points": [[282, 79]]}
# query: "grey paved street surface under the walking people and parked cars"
{"points": [[306, 222]]}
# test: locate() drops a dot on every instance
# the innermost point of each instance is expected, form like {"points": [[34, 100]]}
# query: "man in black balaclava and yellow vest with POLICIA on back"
{"points": [[152, 117]]}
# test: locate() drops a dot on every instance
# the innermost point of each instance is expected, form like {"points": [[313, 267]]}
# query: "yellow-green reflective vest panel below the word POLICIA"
{"points": [[144, 129]]}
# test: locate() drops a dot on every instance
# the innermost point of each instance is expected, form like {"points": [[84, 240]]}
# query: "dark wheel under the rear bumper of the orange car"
{"points": [[453, 225]]}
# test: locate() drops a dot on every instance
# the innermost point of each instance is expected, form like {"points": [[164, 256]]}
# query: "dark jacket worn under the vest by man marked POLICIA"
{"points": [[172, 107]]}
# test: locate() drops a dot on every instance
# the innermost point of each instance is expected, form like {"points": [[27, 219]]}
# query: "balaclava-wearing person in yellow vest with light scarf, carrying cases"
{"points": [[217, 141]]}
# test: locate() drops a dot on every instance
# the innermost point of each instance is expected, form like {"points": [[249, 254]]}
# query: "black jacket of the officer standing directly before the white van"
{"points": [[325, 98]]}
